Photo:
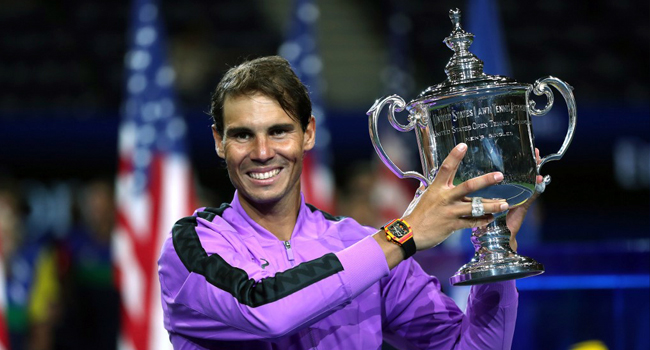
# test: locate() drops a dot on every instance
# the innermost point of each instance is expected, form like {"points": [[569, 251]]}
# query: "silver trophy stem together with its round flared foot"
{"points": [[494, 259]]}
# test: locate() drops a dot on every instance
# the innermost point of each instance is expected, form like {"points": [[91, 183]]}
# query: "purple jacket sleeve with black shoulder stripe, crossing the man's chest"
{"points": [[221, 295]]}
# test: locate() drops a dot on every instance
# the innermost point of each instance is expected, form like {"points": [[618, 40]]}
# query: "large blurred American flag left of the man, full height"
{"points": [[154, 182]]}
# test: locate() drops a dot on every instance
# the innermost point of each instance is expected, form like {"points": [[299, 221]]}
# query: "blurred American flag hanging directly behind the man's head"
{"points": [[301, 50]]}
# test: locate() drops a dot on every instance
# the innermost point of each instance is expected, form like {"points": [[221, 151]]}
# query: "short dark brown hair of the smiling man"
{"points": [[271, 76]]}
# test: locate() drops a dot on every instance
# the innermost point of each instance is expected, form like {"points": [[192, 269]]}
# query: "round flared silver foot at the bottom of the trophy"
{"points": [[487, 271]]}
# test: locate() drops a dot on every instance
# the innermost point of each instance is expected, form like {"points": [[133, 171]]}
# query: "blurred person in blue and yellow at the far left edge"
{"points": [[32, 281]]}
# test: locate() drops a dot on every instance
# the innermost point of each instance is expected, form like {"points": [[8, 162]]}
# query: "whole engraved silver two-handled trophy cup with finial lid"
{"points": [[491, 114]]}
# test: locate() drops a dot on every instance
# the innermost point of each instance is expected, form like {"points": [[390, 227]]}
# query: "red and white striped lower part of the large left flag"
{"points": [[143, 222]]}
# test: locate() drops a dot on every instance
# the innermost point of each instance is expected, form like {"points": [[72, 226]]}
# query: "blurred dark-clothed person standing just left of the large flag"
{"points": [[91, 300]]}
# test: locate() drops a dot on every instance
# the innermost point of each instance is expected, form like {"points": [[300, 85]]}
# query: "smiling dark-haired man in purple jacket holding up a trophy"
{"points": [[268, 271]]}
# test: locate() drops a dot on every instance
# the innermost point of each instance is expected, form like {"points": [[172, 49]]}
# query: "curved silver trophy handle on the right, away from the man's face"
{"points": [[541, 87]]}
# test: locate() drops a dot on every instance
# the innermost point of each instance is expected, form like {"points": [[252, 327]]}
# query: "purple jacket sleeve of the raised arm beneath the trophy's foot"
{"points": [[419, 316]]}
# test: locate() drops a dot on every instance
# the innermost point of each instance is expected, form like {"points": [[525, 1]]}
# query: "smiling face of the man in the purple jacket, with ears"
{"points": [[263, 148]]}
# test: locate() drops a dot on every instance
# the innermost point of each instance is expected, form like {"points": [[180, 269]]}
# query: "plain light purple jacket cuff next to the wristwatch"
{"points": [[364, 263]]}
